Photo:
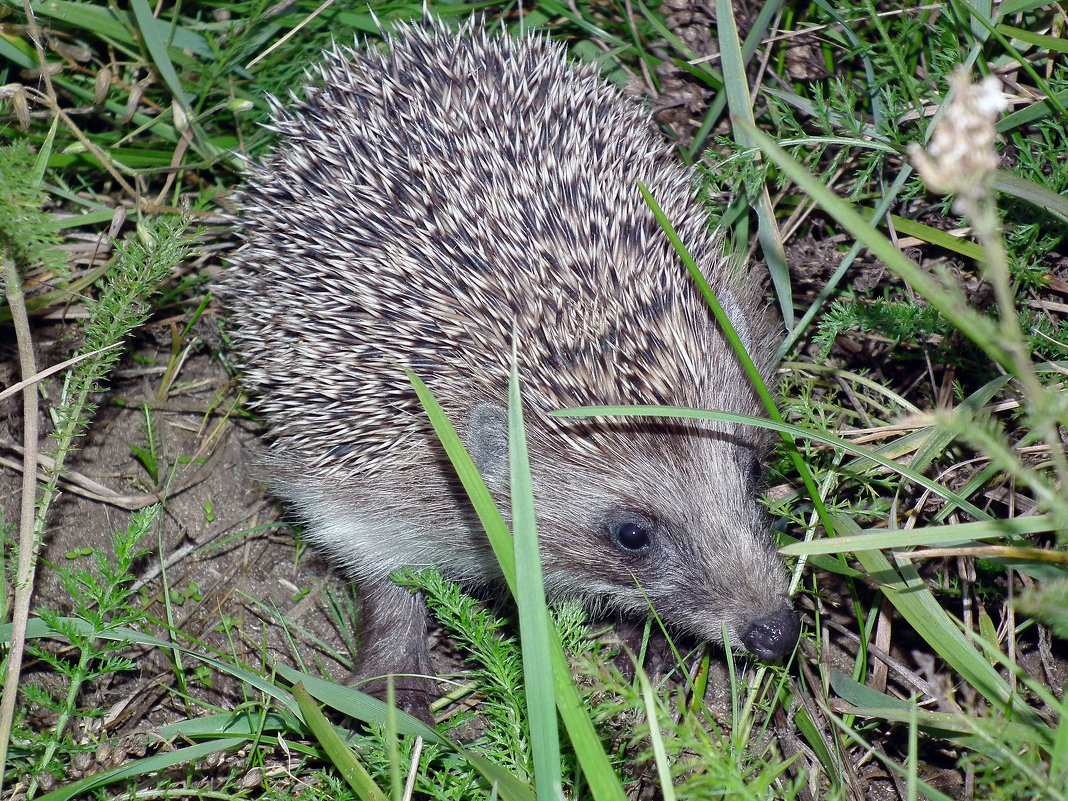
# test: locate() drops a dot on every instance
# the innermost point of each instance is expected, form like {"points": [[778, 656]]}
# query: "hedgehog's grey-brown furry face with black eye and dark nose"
{"points": [[668, 517]]}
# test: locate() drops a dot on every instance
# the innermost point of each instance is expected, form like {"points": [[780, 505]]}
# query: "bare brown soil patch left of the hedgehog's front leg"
{"points": [[222, 546]]}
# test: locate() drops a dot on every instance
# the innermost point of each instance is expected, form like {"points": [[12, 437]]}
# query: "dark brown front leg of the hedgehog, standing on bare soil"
{"points": [[394, 642]]}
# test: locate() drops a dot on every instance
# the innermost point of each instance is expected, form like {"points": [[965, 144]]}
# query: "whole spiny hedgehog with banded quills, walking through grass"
{"points": [[427, 202]]}
